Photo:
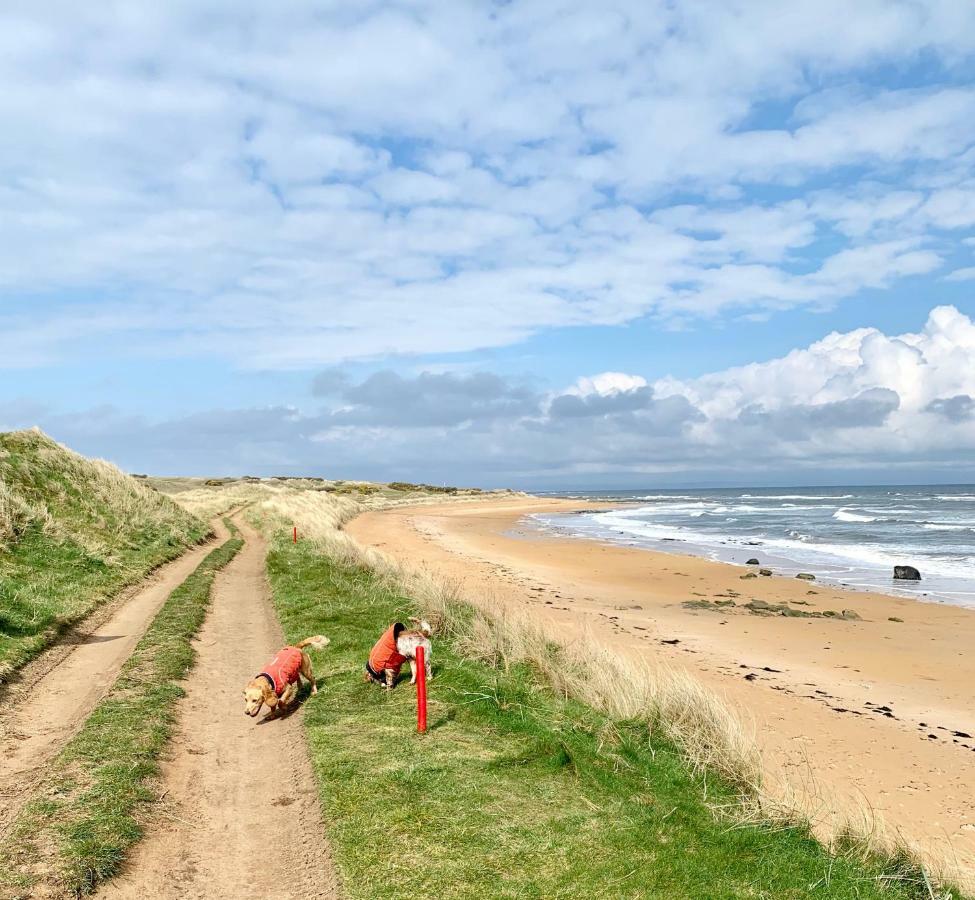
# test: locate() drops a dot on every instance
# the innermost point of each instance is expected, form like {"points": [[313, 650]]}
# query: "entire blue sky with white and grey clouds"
{"points": [[540, 243]]}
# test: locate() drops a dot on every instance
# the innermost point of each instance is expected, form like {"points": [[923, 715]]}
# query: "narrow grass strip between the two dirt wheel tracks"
{"points": [[86, 814]]}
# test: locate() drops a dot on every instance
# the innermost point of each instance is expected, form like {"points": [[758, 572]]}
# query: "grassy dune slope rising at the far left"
{"points": [[73, 532]]}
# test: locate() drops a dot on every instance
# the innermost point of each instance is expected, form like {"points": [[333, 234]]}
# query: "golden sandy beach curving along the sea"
{"points": [[853, 717]]}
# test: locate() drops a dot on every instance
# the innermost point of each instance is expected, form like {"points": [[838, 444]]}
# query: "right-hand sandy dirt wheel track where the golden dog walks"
{"points": [[240, 817]]}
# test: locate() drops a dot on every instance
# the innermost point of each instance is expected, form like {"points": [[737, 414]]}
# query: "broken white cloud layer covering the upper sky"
{"points": [[290, 188]]}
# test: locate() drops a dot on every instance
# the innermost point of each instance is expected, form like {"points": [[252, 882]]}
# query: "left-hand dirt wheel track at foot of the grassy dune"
{"points": [[53, 696]]}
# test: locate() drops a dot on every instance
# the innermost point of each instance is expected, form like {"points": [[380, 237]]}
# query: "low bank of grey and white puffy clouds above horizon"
{"points": [[859, 404]]}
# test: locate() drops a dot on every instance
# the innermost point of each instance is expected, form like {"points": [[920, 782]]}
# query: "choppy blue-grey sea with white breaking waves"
{"points": [[852, 536]]}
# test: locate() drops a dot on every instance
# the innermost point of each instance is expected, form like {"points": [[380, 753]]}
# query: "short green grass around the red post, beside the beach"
{"points": [[516, 792]]}
